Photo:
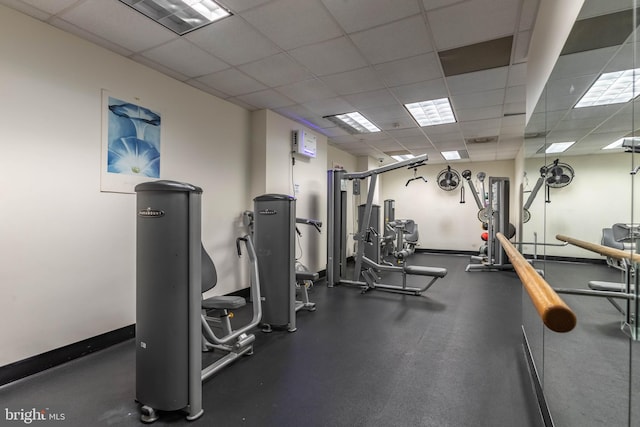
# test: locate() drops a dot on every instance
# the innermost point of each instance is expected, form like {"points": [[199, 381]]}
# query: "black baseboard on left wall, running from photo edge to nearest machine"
{"points": [[41, 362]]}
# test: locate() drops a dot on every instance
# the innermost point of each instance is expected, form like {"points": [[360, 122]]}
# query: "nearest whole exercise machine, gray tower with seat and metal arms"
{"points": [[172, 270]]}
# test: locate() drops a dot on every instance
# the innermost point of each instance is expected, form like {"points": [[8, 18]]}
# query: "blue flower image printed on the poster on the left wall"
{"points": [[133, 138]]}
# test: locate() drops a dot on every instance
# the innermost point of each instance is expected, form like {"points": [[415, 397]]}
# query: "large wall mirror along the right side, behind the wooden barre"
{"points": [[587, 189]]}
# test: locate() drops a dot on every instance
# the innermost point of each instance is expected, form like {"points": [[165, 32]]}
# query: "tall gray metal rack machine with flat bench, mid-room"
{"points": [[337, 235]]}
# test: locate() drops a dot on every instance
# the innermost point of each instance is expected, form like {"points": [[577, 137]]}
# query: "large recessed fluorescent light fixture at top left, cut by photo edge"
{"points": [[180, 16]]}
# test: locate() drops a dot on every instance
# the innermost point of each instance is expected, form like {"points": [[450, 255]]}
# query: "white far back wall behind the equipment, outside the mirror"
{"points": [[443, 222]]}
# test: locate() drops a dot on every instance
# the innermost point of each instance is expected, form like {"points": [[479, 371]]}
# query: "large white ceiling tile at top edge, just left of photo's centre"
{"points": [[307, 22]]}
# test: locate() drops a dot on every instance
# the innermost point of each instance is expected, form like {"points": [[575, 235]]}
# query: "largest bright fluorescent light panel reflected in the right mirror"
{"points": [[612, 88]]}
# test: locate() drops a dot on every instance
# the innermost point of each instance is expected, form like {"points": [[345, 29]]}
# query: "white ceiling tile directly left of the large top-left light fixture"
{"points": [[115, 21]]}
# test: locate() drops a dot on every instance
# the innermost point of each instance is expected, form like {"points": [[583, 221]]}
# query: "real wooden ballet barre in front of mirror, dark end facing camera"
{"points": [[555, 314]]}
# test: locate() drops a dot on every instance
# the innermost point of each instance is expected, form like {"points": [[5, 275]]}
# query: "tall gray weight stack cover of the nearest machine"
{"points": [[162, 294]]}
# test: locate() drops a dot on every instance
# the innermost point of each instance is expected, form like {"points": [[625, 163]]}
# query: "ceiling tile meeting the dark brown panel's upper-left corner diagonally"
{"points": [[397, 40]]}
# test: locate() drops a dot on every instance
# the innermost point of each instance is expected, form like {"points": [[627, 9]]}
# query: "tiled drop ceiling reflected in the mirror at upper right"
{"points": [[601, 41]]}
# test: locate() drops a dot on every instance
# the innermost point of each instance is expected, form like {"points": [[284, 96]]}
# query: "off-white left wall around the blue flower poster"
{"points": [[67, 250]]}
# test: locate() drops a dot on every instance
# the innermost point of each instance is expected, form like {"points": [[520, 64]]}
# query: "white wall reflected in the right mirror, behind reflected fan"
{"points": [[597, 198]]}
